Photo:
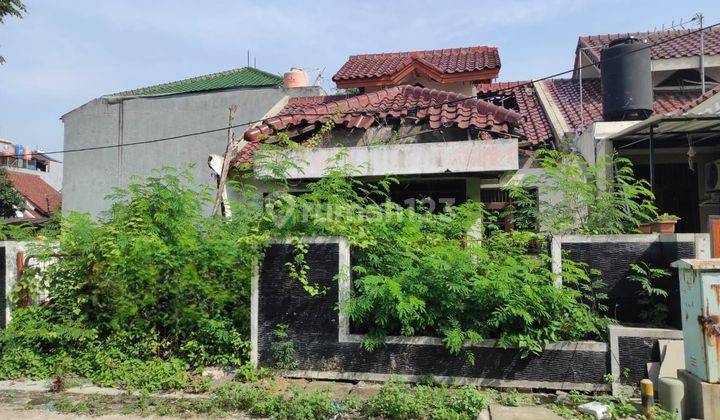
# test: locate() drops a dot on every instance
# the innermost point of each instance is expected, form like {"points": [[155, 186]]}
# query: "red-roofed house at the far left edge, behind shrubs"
{"points": [[41, 199]]}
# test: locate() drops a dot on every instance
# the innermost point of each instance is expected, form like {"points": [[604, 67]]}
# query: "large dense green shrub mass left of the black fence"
{"points": [[140, 296]]}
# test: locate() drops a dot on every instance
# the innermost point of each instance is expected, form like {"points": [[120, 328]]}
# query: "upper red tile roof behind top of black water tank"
{"points": [[685, 46]]}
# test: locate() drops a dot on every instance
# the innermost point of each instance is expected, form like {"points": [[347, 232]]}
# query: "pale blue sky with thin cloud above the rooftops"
{"points": [[63, 54]]}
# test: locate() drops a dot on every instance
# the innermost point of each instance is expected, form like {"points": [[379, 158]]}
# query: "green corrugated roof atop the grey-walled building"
{"points": [[237, 78]]}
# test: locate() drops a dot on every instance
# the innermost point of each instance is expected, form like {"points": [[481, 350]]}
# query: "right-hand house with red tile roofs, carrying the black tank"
{"points": [[682, 159]]}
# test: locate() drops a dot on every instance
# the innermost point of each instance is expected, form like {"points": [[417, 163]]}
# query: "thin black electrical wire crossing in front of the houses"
{"points": [[376, 111]]}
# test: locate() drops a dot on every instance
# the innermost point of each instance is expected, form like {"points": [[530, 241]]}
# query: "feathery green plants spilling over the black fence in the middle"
{"points": [[418, 273]]}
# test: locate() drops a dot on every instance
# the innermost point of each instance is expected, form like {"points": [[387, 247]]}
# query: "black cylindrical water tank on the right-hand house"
{"points": [[626, 80]]}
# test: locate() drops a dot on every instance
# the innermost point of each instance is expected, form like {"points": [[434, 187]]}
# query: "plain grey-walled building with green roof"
{"points": [[171, 109]]}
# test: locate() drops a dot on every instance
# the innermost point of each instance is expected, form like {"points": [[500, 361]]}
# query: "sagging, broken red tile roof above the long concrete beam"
{"points": [[409, 103]]}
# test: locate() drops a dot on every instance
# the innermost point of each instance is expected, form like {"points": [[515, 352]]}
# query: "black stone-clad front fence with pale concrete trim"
{"points": [[325, 348]]}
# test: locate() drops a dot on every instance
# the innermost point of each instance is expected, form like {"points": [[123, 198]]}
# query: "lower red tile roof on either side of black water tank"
{"points": [[566, 95]]}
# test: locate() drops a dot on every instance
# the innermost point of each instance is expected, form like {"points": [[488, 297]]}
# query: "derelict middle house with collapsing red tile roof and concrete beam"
{"points": [[416, 117]]}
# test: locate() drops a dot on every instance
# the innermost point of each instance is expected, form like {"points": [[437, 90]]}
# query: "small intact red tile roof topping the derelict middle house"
{"points": [[473, 63]]}
